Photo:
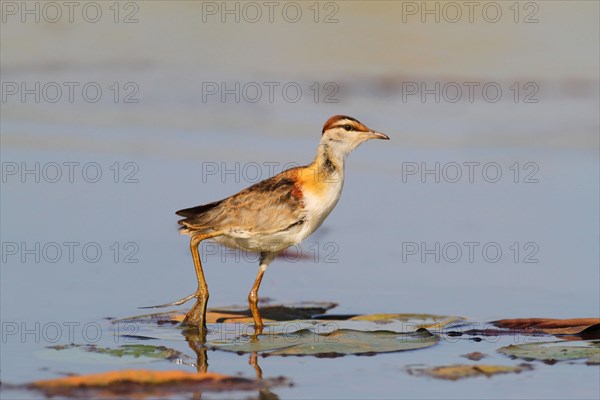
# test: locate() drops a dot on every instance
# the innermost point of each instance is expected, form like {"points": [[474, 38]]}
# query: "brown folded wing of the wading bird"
{"points": [[272, 205]]}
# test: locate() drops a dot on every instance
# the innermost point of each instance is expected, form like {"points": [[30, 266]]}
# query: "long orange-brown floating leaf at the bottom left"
{"points": [[143, 383]]}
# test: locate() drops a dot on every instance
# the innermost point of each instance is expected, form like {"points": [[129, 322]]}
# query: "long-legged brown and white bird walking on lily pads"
{"points": [[275, 213]]}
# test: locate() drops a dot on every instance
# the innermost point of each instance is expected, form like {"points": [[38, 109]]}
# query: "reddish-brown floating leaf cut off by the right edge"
{"points": [[550, 326]]}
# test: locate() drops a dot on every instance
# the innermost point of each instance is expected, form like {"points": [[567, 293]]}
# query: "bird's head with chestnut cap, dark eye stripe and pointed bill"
{"points": [[343, 134]]}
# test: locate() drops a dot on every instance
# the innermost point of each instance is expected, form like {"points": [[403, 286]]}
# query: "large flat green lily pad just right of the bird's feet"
{"points": [[337, 343]]}
